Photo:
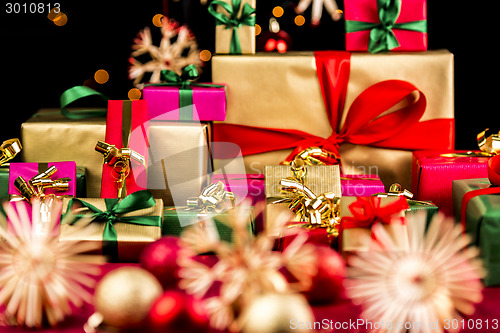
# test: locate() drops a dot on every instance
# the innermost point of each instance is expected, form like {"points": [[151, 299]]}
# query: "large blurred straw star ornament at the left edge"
{"points": [[40, 277]]}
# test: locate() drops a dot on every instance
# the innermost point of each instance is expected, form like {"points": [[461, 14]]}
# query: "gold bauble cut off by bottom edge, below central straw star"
{"points": [[277, 313]]}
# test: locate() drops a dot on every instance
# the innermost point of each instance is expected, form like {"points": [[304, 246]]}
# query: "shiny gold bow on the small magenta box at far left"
{"points": [[35, 187]]}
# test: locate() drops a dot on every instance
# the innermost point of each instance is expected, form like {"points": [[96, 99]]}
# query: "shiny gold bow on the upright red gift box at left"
{"points": [[119, 159]]}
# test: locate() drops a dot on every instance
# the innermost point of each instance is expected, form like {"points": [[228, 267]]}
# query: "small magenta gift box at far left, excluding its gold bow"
{"points": [[27, 170]]}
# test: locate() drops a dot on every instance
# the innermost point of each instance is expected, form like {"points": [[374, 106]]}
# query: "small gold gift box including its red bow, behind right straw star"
{"points": [[359, 214]]}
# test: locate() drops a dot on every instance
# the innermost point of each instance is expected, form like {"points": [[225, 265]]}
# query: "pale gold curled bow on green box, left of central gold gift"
{"points": [[213, 199]]}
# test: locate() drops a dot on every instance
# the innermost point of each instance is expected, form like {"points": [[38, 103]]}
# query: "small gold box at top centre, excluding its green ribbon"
{"points": [[246, 34]]}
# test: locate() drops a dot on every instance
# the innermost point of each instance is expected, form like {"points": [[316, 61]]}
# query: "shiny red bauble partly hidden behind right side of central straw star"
{"points": [[327, 284]]}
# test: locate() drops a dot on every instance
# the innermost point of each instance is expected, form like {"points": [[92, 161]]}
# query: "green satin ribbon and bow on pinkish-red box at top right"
{"points": [[382, 37]]}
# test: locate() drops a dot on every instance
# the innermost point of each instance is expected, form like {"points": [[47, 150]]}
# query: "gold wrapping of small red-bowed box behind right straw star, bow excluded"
{"points": [[358, 239]]}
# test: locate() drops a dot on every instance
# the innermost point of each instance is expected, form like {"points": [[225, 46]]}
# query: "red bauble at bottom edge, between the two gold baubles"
{"points": [[175, 311]]}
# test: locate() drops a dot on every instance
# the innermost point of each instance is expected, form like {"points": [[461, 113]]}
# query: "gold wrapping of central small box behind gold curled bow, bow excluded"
{"points": [[319, 179]]}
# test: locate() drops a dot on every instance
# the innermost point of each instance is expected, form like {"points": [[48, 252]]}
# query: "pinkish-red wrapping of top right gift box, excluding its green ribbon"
{"points": [[367, 11]]}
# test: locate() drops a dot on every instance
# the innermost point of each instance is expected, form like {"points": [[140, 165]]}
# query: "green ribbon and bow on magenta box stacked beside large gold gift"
{"points": [[184, 82]]}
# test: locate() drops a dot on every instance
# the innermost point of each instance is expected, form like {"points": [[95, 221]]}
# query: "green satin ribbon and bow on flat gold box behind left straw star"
{"points": [[115, 208]]}
